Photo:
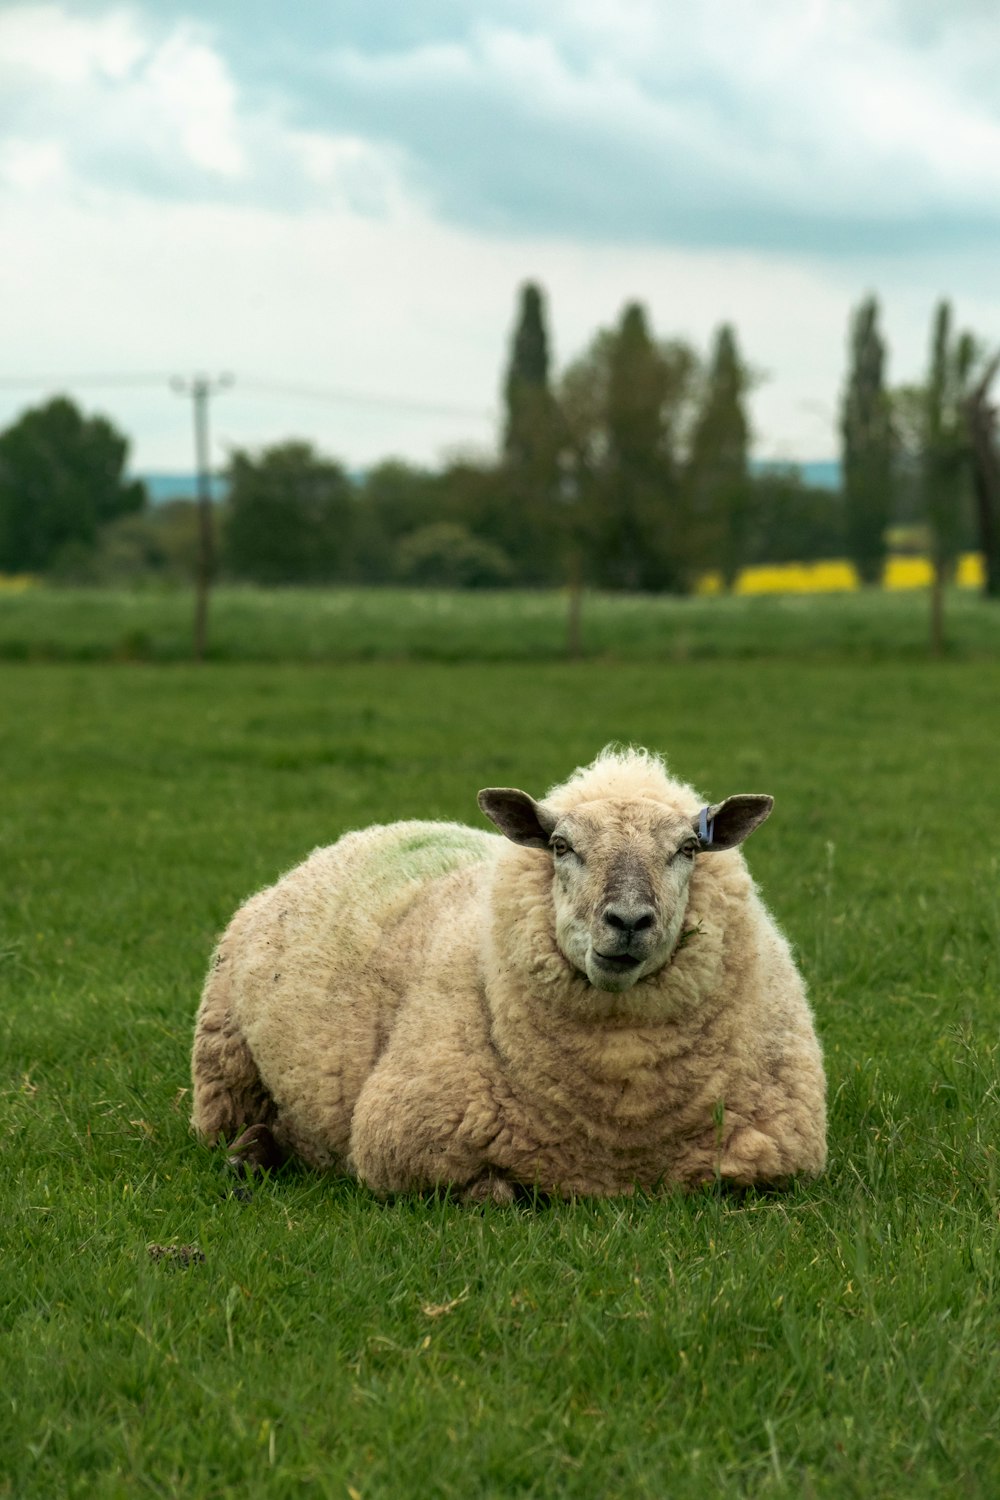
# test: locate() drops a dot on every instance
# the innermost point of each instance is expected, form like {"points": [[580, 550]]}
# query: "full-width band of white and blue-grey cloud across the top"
{"points": [[824, 127]]}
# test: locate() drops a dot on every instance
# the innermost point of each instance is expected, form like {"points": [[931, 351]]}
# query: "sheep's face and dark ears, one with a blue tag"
{"points": [[621, 872]]}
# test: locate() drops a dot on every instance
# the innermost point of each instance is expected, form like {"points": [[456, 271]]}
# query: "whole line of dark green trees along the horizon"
{"points": [[630, 470]]}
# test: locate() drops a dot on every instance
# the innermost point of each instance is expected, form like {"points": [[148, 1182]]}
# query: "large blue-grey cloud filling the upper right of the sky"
{"points": [[731, 125]]}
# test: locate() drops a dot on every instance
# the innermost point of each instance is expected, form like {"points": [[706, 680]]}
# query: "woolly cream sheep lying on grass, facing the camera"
{"points": [[593, 1004]]}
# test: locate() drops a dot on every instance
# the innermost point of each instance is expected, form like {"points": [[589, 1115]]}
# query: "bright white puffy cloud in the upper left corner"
{"points": [[124, 104]]}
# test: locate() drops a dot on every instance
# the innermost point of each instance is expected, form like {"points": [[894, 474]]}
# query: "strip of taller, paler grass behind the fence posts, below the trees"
{"points": [[346, 625]]}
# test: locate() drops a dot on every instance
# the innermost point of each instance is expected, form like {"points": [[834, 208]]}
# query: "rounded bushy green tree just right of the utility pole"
{"points": [[290, 517]]}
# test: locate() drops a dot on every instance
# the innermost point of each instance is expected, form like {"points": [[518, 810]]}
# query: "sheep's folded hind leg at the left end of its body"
{"points": [[229, 1093]]}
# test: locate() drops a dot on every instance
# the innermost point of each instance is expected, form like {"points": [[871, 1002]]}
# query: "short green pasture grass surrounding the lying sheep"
{"points": [[839, 1342]]}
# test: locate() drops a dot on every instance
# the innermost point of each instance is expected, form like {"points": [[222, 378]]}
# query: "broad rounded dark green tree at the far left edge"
{"points": [[62, 478]]}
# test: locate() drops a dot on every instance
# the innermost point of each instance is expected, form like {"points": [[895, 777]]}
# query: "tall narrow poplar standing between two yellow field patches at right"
{"points": [[867, 446]]}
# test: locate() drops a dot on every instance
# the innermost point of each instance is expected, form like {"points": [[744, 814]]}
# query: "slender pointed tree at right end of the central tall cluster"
{"points": [[719, 460]]}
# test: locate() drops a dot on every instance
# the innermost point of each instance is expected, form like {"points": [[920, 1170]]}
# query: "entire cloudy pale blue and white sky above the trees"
{"points": [[337, 203]]}
